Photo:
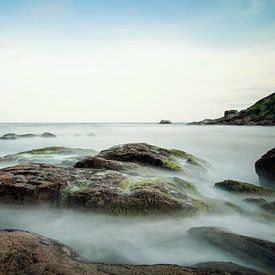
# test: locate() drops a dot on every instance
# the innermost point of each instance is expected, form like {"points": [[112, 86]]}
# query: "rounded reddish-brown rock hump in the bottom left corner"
{"points": [[28, 253]]}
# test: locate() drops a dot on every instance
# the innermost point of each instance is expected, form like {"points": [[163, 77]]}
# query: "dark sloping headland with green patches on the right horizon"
{"points": [[261, 113]]}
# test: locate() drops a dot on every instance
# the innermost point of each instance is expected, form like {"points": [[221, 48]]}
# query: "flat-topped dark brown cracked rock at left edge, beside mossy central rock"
{"points": [[31, 184]]}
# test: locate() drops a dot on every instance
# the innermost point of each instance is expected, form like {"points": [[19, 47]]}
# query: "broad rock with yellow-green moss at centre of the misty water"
{"points": [[113, 192]]}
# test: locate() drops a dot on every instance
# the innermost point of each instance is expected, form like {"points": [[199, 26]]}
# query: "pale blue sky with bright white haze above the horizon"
{"points": [[133, 60]]}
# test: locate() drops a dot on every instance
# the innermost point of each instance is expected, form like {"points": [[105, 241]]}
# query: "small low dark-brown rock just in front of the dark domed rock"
{"points": [[101, 163]]}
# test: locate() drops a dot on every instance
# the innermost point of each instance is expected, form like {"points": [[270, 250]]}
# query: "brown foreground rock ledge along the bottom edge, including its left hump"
{"points": [[24, 252]]}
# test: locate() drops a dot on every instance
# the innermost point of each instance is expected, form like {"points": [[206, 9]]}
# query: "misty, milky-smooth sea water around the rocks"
{"points": [[231, 151]]}
